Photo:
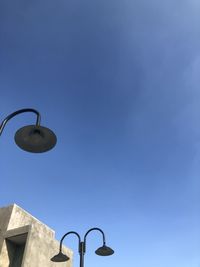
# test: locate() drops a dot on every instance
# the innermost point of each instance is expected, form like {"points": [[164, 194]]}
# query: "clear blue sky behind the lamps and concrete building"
{"points": [[118, 82]]}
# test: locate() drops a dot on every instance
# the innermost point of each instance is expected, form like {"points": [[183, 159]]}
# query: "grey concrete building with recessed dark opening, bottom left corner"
{"points": [[19, 227]]}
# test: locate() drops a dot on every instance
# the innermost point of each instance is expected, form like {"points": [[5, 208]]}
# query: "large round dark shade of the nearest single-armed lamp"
{"points": [[36, 139]]}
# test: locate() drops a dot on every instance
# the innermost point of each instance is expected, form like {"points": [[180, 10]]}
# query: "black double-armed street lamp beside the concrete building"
{"points": [[101, 251]]}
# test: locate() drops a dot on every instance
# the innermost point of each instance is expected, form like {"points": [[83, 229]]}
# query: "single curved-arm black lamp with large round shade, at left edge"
{"points": [[32, 138]]}
